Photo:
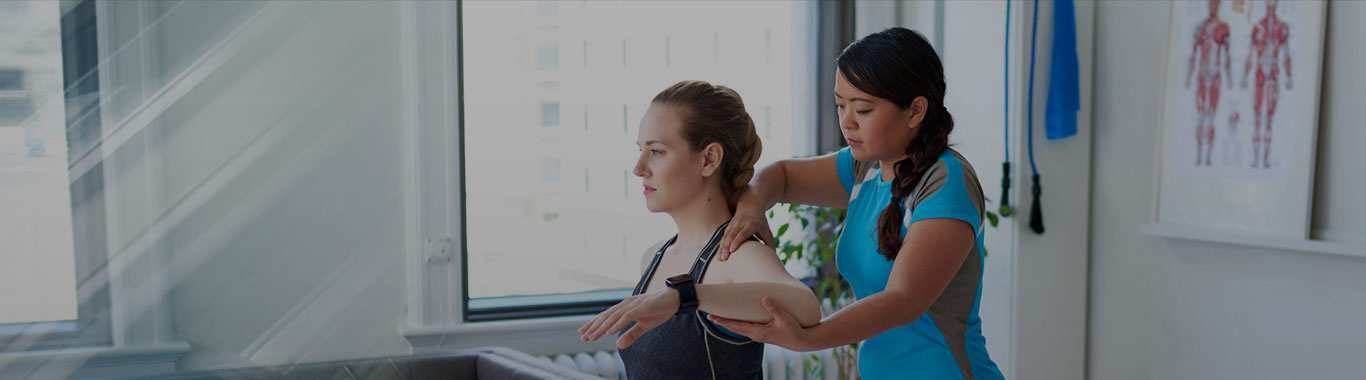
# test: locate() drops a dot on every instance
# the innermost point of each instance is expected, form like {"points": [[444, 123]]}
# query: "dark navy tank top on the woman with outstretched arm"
{"points": [[691, 347]]}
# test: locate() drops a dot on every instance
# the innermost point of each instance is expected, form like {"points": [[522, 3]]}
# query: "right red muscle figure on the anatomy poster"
{"points": [[1271, 38]]}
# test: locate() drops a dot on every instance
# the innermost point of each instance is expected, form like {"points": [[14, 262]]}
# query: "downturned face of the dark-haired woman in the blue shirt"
{"points": [[875, 128]]}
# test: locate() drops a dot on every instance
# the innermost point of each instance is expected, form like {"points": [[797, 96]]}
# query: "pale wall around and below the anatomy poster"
{"points": [[1175, 310]]}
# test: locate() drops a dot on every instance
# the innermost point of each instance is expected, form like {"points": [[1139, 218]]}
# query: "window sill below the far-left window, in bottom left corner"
{"points": [[94, 362]]}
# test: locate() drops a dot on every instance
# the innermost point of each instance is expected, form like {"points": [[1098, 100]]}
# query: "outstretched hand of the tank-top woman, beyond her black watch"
{"points": [[647, 311]]}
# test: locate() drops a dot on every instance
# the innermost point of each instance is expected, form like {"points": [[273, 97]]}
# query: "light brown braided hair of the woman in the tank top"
{"points": [[716, 114]]}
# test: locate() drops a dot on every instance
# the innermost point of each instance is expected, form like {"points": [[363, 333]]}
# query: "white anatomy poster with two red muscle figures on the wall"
{"points": [[1240, 114]]}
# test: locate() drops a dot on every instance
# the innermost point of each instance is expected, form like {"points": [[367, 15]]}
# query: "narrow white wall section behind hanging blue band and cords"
{"points": [[1051, 275]]}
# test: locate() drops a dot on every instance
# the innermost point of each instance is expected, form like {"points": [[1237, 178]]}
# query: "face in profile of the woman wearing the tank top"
{"points": [[671, 172]]}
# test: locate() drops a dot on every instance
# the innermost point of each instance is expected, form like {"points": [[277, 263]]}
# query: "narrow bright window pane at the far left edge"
{"points": [[38, 256]]}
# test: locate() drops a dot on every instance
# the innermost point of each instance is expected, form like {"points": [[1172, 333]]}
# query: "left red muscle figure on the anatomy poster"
{"points": [[1208, 57]]}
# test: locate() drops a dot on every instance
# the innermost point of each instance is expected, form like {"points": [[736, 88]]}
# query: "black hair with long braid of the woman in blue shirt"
{"points": [[900, 65]]}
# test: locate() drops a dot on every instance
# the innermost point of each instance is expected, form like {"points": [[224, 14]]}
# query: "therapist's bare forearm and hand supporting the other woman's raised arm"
{"points": [[931, 255]]}
